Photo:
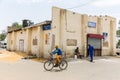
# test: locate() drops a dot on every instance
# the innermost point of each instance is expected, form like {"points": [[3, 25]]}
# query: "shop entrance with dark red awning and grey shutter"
{"points": [[95, 41]]}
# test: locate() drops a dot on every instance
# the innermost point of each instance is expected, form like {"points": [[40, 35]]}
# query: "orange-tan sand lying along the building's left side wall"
{"points": [[12, 57]]}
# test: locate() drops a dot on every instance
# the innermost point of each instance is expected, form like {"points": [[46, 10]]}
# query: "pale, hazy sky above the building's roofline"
{"points": [[40, 10]]}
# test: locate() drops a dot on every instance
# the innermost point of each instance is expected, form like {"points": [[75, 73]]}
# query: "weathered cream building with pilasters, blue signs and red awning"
{"points": [[68, 30]]}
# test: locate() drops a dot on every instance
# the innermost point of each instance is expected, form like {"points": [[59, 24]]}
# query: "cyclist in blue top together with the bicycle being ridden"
{"points": [[58, 62]]}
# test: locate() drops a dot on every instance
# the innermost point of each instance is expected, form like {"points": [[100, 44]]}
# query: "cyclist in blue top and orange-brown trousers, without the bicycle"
{"points": [[58, 56]]}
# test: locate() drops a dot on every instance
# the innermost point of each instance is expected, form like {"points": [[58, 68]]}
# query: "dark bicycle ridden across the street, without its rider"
{"points": [[49, 64]]}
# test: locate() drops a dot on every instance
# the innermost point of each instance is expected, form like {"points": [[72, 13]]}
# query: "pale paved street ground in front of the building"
{"points": [[103, 68]]}
